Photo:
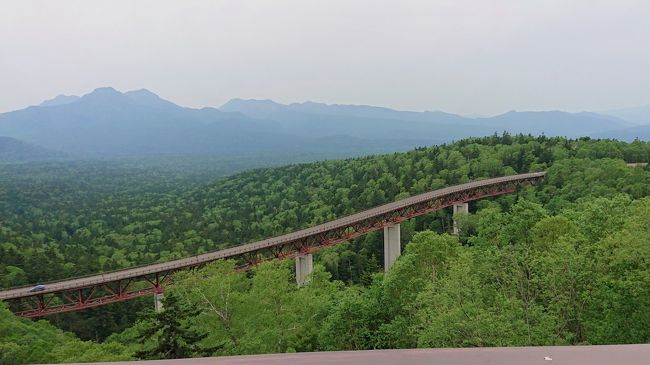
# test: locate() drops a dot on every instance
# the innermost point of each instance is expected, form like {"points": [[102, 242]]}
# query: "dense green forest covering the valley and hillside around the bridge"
{"points": [[566, 262]]}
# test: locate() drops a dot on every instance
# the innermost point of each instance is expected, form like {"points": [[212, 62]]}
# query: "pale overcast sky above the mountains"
{"points": [[461, 56]]}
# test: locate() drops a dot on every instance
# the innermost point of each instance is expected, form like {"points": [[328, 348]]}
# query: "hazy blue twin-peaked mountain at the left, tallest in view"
{"points": [[107, 122]]}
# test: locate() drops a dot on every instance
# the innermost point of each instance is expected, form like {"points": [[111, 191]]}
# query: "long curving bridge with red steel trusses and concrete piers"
{"points": [[110, 287]]}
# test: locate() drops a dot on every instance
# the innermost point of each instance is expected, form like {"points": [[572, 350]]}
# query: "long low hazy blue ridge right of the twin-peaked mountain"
{"points": [[361, 120]]}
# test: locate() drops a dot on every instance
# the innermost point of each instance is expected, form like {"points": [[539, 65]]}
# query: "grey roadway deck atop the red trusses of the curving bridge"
{"points": [[83, 282]]}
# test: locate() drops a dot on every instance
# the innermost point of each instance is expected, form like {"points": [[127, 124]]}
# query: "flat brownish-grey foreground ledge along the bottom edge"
{"points": [[543, 355]]}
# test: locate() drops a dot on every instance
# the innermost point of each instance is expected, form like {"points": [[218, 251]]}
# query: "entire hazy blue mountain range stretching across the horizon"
{"points": [[107, 122]]}
